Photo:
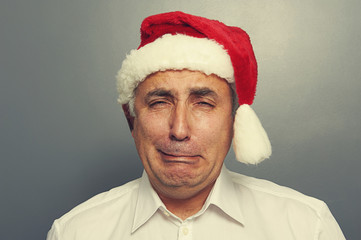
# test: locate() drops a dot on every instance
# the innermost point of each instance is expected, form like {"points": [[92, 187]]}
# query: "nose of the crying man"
{"points": [[179, 124]]}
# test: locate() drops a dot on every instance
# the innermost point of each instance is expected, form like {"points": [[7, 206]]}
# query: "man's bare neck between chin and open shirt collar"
{"points": [[184, 208]]}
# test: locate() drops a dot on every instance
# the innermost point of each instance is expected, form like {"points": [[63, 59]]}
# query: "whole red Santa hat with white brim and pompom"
{"points": [[176, 41]]}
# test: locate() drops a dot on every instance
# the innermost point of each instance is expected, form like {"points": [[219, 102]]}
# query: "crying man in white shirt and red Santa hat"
{"points": [[180, 92]]}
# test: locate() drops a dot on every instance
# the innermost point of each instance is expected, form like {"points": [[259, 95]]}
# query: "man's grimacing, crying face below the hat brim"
{"points": [[183, 129]]}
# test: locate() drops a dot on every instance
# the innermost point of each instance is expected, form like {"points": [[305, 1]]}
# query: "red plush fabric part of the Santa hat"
{"points": [[233, 39]]}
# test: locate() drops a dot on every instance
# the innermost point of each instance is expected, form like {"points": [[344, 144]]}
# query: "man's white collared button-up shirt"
{"points": [[238, 207]]}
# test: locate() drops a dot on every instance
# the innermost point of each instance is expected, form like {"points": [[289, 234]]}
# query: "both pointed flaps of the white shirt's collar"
{"points": [[223, 195]]}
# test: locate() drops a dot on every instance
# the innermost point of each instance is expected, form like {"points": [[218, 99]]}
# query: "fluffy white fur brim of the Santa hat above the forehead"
{"points": [[172, 52]]}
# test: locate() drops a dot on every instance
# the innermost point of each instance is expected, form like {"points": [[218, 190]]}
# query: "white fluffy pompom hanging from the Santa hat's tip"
{"points": [[250, 141]]}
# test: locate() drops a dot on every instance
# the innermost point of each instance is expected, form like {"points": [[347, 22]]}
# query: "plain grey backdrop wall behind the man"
{"points": [[64, 138]]}
